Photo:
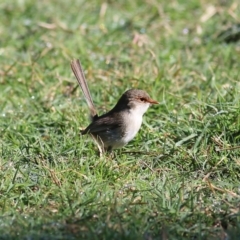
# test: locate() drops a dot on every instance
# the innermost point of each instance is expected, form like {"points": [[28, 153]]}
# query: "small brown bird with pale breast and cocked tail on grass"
{"points": [[120, 125]]}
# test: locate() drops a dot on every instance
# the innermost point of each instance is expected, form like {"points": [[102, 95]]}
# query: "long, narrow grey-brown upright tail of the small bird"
{"points": [[78, 72]]}
